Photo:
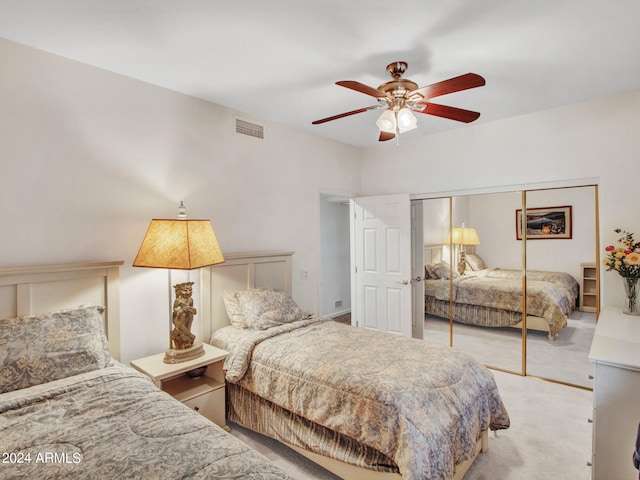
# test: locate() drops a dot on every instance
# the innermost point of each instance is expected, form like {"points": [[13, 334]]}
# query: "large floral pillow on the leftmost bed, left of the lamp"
{"points": [[37, 349]]}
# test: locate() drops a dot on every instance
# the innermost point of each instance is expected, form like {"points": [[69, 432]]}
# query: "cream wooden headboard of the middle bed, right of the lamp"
{"points": [[240, 271]]}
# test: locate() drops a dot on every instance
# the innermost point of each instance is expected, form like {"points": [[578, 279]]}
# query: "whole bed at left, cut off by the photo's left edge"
{"points": [[69, 409]]}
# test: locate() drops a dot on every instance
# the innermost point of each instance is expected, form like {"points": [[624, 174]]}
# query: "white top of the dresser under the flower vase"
{"points": [[617, 339]]}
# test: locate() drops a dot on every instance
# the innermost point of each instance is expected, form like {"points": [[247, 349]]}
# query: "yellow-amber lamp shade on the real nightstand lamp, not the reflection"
{"points": [[179, 244]]}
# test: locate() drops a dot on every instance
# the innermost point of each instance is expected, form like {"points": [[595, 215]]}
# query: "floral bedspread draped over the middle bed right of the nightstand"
{"points": [[421, 404]]}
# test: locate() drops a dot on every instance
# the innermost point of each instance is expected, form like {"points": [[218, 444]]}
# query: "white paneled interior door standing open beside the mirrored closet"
{"points": [[381, 263]]}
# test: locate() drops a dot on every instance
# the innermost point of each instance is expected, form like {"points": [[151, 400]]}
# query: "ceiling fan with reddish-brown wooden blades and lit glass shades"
{"points": [[401, 97]]}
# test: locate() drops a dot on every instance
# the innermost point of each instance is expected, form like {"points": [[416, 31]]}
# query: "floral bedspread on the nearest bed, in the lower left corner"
{"points": [[114, 423]]}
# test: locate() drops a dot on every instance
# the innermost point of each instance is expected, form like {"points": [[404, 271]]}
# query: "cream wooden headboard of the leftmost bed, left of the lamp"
{"points": [[48, 288]]}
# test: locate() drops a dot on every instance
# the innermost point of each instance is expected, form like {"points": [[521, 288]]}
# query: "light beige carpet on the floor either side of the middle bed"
{"points": [[549, 437]]}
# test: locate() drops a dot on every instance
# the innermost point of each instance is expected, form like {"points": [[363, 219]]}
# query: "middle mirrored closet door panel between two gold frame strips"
{"points": [[488, 303]]}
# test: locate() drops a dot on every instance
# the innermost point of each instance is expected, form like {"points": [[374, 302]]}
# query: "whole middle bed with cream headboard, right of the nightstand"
{"points": [[364, 404]]}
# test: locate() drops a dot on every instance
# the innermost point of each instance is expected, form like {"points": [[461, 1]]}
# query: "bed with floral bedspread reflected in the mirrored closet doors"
{"points": [[492, 297]]}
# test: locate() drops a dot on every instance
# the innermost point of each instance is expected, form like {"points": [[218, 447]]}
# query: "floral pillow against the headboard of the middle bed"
{"points": [[265, 309]]}
